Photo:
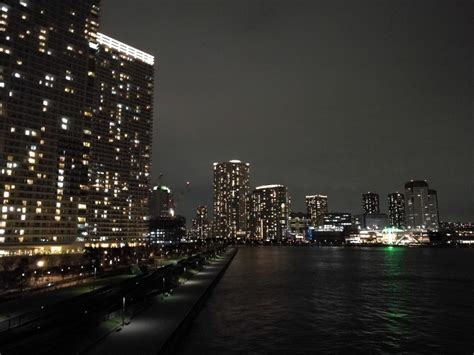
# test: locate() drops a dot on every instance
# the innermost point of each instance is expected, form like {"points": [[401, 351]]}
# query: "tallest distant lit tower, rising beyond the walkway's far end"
{"points": [[231, 193]]}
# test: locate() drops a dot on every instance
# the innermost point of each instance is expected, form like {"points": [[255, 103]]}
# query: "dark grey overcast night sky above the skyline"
{"points": [[332, 97]]}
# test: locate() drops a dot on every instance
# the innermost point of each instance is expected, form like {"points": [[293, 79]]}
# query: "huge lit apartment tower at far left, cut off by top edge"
{"points": [[45, 108]]}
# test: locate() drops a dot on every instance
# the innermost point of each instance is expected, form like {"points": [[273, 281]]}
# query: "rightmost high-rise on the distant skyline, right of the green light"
{"points": [[421, 204]]}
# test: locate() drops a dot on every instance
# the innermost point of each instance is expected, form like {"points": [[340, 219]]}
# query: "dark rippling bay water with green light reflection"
{"points": [[299, 300]]}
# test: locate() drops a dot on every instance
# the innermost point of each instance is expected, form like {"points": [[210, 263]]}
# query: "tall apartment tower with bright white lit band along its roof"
{"points": [[121, 126]]}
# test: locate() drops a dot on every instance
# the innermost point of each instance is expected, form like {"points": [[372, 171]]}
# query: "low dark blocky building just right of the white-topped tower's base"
{"points": [[167, 230]]}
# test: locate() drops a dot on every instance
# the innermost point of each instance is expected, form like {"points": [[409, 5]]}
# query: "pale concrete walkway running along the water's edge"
{"points": [[149, 331]]}
